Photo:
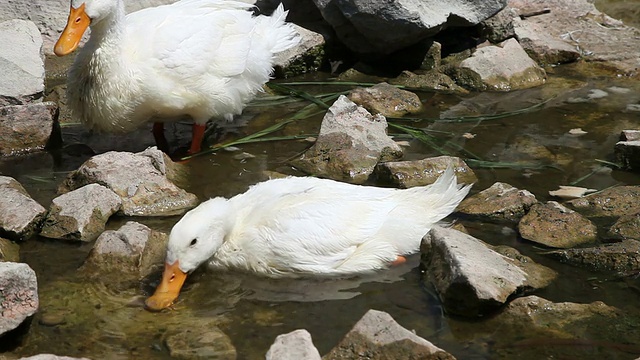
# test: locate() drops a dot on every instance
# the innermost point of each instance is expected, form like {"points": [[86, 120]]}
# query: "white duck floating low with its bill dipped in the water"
{"points": [[304, 225]]}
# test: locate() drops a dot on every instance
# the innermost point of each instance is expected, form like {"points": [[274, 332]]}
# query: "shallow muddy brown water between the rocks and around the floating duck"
{"points": [[104, 320]]}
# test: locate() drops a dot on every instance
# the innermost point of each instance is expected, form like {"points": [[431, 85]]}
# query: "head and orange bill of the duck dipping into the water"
{"points": [[193, 241]]}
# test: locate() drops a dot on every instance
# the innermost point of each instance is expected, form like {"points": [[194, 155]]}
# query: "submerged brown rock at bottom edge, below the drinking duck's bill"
{"points": [[200, 343]]}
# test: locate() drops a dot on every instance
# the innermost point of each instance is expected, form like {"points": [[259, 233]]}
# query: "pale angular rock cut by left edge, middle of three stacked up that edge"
{"points": [[20, 215]]}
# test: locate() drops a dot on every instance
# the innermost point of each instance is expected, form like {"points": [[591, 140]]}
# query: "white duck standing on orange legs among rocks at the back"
{"points": [[199, 58]]}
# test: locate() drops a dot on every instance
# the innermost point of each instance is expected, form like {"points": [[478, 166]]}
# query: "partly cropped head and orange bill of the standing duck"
{"points": [[82, 14]]}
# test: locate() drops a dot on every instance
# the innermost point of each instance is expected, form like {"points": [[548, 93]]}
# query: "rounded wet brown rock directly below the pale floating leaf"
{"points": [[554, 225]]}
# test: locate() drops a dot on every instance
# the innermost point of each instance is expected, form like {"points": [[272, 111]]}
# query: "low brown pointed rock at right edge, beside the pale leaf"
{"points": [[609, 203]]}
